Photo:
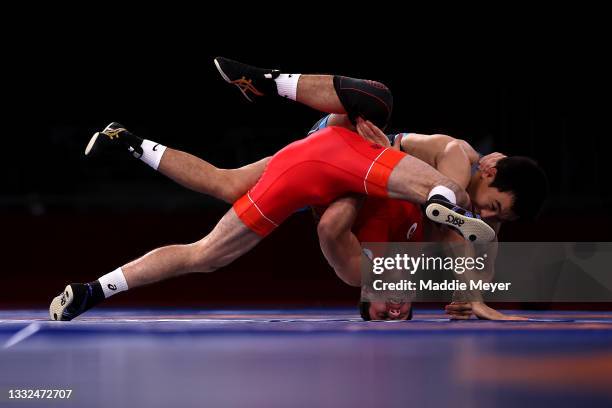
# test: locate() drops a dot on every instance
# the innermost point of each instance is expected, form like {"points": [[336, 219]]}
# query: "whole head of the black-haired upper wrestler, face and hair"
{"points": [[515, 188]]}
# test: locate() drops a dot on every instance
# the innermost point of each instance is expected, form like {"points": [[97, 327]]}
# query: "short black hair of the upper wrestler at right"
{"points": [[526, 181]]}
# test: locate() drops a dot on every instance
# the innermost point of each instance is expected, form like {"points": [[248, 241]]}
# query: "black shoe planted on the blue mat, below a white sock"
{"points": [[76, 299]]}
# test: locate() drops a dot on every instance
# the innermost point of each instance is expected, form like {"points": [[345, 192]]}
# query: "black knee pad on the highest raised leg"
{"points": [[369, 99]]}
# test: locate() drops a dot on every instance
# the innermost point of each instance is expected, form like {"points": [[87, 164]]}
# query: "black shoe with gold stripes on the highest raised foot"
{"points": [[253, 82]]}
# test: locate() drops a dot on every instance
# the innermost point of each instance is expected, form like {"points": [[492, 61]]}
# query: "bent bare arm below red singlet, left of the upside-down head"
{"points": [[338, 243]]}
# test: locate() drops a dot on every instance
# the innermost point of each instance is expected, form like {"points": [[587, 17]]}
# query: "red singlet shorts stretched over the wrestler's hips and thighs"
{"points": [[316, 170]]}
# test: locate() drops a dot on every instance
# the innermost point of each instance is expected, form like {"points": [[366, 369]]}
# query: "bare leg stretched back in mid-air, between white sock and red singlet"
{"points": [[199, 175]]}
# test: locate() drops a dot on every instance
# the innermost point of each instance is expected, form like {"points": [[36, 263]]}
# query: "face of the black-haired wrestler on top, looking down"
{"points": [[488, 201]]}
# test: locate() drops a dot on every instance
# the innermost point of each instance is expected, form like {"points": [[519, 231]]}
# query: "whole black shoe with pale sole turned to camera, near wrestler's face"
{"points": [[470, 225]]}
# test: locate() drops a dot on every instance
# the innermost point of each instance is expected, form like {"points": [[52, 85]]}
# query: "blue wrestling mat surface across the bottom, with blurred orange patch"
{"points": [[305, 358]]}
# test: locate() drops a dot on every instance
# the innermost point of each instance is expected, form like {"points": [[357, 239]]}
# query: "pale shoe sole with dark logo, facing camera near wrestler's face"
{"points": [[472, 229]]}
